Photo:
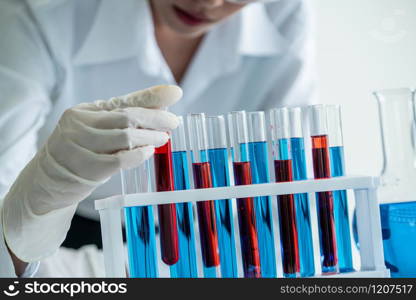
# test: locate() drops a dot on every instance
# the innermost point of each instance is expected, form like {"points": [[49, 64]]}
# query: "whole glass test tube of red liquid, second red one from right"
{"points": [[287, 212]]}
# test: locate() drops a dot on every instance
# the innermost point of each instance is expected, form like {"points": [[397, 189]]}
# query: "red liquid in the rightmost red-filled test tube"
{"points": [[321, 170]]}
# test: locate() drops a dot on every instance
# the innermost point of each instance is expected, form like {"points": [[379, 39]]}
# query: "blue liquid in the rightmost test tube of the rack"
{"points": [[342, 224]]}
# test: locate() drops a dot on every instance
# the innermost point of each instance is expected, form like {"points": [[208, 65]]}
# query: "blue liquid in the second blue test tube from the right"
{"points": [[303, 219]]}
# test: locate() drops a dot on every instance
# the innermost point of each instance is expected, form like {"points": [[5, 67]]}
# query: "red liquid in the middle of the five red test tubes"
{"points": [[247, 224]]}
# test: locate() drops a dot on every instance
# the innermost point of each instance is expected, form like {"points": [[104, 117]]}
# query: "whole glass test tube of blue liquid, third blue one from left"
{"points": [[218, 158]]}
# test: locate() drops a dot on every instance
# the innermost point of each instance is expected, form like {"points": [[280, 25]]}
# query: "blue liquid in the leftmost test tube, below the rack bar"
{"points": [[141, 242]]}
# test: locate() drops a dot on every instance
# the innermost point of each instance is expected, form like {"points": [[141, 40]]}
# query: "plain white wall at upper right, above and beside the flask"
{"points": [[364, 45]]}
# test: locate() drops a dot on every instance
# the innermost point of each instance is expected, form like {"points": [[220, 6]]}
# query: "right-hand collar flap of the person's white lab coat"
{"points": [[249, 33]]}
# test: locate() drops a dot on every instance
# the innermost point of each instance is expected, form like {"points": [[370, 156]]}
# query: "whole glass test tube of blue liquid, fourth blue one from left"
{"points": [[259, 159]]}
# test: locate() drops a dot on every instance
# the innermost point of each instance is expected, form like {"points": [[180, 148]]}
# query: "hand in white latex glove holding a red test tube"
{"points": [[91, 143]]}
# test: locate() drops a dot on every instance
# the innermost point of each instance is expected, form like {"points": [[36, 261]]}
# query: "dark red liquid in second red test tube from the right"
{"points": [[287, 215]]}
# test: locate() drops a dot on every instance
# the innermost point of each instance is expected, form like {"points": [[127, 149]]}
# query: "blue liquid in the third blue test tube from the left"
{"points": [[225, 226]]}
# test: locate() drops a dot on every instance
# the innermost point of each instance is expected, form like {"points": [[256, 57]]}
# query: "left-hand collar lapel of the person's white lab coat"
{"points": [[114, 39]]}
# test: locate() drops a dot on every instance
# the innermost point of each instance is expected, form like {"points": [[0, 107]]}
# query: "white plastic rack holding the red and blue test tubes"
{"points": [[367, 210]]}
